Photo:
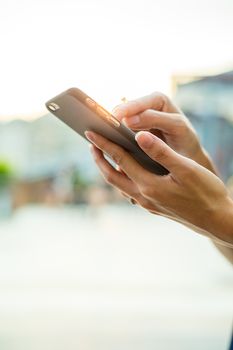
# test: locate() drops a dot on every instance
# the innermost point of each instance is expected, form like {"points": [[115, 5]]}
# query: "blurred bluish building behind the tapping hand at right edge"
{"points": [[208, 103]]}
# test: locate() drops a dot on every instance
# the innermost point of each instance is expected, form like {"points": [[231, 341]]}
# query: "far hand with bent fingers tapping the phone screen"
{"points": [[157, 114]]}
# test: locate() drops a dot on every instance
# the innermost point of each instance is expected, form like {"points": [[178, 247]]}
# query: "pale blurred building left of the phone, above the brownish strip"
{"points": [[42, 145]]}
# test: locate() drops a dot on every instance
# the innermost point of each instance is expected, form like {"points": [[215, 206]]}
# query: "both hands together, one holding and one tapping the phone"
{"points": [[191, 193]]}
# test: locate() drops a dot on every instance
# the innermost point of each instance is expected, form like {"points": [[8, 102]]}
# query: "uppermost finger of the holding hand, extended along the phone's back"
{"points": [[121, 157]]}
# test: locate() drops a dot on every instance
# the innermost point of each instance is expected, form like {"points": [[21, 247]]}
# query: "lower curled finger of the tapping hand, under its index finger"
{"points": [[151, 119]]}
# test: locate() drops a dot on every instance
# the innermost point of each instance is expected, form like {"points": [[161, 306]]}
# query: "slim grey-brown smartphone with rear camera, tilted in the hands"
{"points": [[82, 113]]}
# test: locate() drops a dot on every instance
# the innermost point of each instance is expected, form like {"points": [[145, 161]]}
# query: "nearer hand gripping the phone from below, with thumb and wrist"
{"points": [[189, 194]]}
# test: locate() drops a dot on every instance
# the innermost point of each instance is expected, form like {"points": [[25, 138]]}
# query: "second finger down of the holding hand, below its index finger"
{"points": [[111, 175]]}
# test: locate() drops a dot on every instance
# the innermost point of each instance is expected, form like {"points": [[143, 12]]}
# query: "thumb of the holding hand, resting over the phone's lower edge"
{"points": [[159, 151]]}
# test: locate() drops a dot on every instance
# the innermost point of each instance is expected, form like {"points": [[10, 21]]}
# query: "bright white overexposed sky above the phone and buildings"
{"points": [[109, 49]]}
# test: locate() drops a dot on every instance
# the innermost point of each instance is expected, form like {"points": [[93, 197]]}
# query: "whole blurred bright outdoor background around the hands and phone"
{"points": [[80, 268]]}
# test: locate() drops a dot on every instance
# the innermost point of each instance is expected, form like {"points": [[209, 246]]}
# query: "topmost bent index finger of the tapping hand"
{"points": [[156, 101]]}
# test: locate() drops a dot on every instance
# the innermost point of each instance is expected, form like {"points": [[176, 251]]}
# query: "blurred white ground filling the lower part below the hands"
{"points": [[115, 278]]}
